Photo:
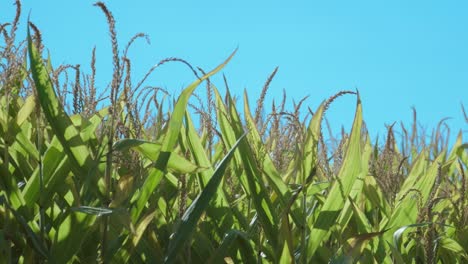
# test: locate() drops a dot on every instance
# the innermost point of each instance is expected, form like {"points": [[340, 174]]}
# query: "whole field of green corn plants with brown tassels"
{"points": [[133, 176]]}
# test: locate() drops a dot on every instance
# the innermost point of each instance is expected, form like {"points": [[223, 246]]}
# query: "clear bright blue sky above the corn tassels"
{"points": [[398, 54]]}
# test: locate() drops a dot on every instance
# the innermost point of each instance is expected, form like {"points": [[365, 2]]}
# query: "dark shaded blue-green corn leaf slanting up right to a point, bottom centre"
{"points": [[192, 215]]}
